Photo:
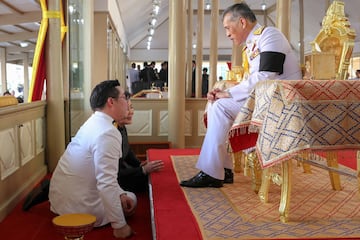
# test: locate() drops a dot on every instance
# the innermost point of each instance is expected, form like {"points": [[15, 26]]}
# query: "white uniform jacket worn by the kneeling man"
{"points": [[85, 179]]}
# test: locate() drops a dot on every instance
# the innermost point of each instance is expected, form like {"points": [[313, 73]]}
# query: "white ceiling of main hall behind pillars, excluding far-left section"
{"points": [[136, 21]]}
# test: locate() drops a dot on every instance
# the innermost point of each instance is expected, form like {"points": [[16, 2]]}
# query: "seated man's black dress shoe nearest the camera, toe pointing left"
{"points": [[202, 180]]}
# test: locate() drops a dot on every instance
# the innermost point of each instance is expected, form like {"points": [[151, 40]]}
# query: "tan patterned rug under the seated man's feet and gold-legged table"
{"points": [[235, 211]]}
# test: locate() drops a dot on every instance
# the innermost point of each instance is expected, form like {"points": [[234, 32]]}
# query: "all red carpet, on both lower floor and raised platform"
{"points": [[173, 218]]}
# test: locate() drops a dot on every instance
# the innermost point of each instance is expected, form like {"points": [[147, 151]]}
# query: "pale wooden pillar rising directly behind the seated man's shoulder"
{"points": [[283, 9]]}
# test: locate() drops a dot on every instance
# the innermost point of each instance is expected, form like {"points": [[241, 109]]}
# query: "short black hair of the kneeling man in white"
{"points": [[102, 92]]}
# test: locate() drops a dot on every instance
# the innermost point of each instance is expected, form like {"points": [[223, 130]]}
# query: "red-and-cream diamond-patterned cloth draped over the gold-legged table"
{"points": [[298, 115]]}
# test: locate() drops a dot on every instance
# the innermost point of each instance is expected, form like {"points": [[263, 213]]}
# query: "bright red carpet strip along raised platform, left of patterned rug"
{"points": [[173, 217]]}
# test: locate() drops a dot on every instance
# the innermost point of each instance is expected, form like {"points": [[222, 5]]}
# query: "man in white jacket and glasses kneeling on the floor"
{"points": [[85, 179]]}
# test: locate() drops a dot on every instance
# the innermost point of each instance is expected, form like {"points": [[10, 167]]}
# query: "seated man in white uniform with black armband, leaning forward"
{"points": [[270, 56]]}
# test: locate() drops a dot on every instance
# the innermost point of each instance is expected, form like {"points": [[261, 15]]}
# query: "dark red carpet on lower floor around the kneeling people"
{"points": [[36, 224]]}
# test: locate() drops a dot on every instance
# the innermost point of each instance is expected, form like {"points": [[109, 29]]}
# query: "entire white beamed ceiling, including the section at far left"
{"points": [[19, 22]]}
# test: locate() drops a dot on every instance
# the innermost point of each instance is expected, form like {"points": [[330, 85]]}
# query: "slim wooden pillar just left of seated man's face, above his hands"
{"points": [[213, 42]]}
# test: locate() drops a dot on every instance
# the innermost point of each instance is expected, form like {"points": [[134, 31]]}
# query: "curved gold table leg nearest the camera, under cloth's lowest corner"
{"points": [[285, 190]]}
